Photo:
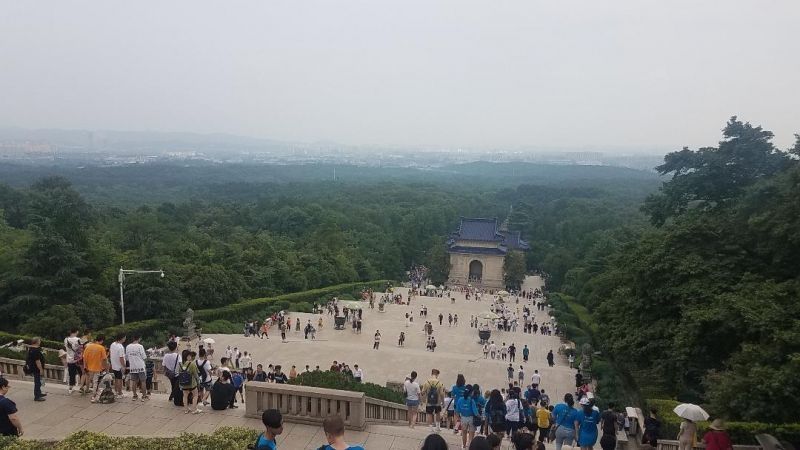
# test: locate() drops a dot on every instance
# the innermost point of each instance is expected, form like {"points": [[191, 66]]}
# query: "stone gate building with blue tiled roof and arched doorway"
{"points": [[478, 250]]}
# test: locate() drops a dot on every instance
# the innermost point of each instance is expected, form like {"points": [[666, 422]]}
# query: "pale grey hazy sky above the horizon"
{"points": [[599, 73]]}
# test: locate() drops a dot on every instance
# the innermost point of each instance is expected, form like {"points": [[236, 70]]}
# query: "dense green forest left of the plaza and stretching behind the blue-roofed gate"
{"points": [[221, 242]]}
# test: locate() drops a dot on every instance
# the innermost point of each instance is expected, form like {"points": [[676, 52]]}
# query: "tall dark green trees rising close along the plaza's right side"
{"points": [[703, 306]]}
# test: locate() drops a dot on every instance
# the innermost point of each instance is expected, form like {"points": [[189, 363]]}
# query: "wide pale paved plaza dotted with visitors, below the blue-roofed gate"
{"points": [[457, 351]]}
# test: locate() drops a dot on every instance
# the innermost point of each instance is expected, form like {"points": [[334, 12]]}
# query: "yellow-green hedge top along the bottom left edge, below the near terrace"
{"points": [[222, 438]]}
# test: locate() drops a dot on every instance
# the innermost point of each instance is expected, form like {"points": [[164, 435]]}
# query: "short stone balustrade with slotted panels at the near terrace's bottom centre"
{"points": [[303, 404]]}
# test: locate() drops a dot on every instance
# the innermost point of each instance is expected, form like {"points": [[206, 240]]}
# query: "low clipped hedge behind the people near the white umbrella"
{"points": [[742, 433]]}
